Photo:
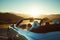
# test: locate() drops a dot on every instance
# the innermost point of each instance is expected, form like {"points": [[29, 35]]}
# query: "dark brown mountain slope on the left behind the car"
{"points": [[9, 18]]}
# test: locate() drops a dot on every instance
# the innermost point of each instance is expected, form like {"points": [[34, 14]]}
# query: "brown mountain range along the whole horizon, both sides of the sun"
{"points": [[8, 17]]}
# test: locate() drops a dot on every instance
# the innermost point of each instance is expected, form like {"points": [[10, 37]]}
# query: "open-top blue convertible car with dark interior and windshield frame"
{"points": [[23, 30]]}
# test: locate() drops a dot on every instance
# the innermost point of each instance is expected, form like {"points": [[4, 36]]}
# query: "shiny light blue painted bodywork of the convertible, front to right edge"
{"points": [[38, 36]]}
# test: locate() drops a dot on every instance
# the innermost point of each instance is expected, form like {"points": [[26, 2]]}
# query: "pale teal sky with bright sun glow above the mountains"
{"points": [[30, 6]]}
